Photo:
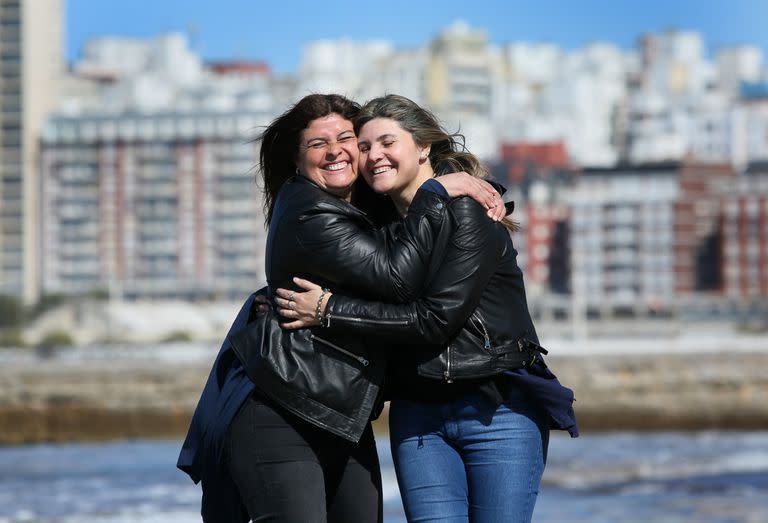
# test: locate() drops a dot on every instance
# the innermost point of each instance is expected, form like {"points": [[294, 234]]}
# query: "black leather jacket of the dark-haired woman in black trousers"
{"points": [[333, 378]]}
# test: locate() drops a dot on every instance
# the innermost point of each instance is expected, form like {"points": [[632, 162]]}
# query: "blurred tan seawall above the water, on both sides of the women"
{"points": [[143, 393]]}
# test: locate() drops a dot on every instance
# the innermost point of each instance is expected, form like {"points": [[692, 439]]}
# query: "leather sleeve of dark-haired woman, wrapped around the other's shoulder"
{"points": [[391, 263]]}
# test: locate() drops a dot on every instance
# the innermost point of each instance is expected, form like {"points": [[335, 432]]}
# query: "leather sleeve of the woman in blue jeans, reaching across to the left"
{"points": [[451, 296]]}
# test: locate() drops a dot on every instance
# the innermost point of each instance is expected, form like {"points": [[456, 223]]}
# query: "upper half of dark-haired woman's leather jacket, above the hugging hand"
{"points": [[325, 239]]}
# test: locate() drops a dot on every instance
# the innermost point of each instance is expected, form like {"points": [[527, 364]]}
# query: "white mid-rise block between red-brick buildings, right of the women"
{"points": [[622, 238]]}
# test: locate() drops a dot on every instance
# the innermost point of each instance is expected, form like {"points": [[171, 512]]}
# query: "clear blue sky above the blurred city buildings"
{"points": [[275, 30]]}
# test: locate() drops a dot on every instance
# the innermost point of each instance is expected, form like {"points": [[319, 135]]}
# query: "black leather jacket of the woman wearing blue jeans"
{"points": [[472, 320]]}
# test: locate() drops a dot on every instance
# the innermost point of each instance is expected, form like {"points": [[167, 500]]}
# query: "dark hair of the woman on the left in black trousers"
{"points": [[280, 140]]}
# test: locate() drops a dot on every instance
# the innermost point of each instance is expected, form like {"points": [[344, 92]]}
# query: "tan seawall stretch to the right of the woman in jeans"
{"points": [[673, 391]]}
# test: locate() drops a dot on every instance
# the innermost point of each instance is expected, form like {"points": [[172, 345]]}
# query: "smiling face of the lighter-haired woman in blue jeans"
{"points": [[390, 159]]}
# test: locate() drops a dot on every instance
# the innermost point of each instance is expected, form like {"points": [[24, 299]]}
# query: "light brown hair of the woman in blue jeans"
{"points": [[448, 152]]}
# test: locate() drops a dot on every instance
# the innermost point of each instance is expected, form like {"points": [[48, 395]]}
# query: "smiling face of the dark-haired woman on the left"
{"points": [[328, 154]]}
